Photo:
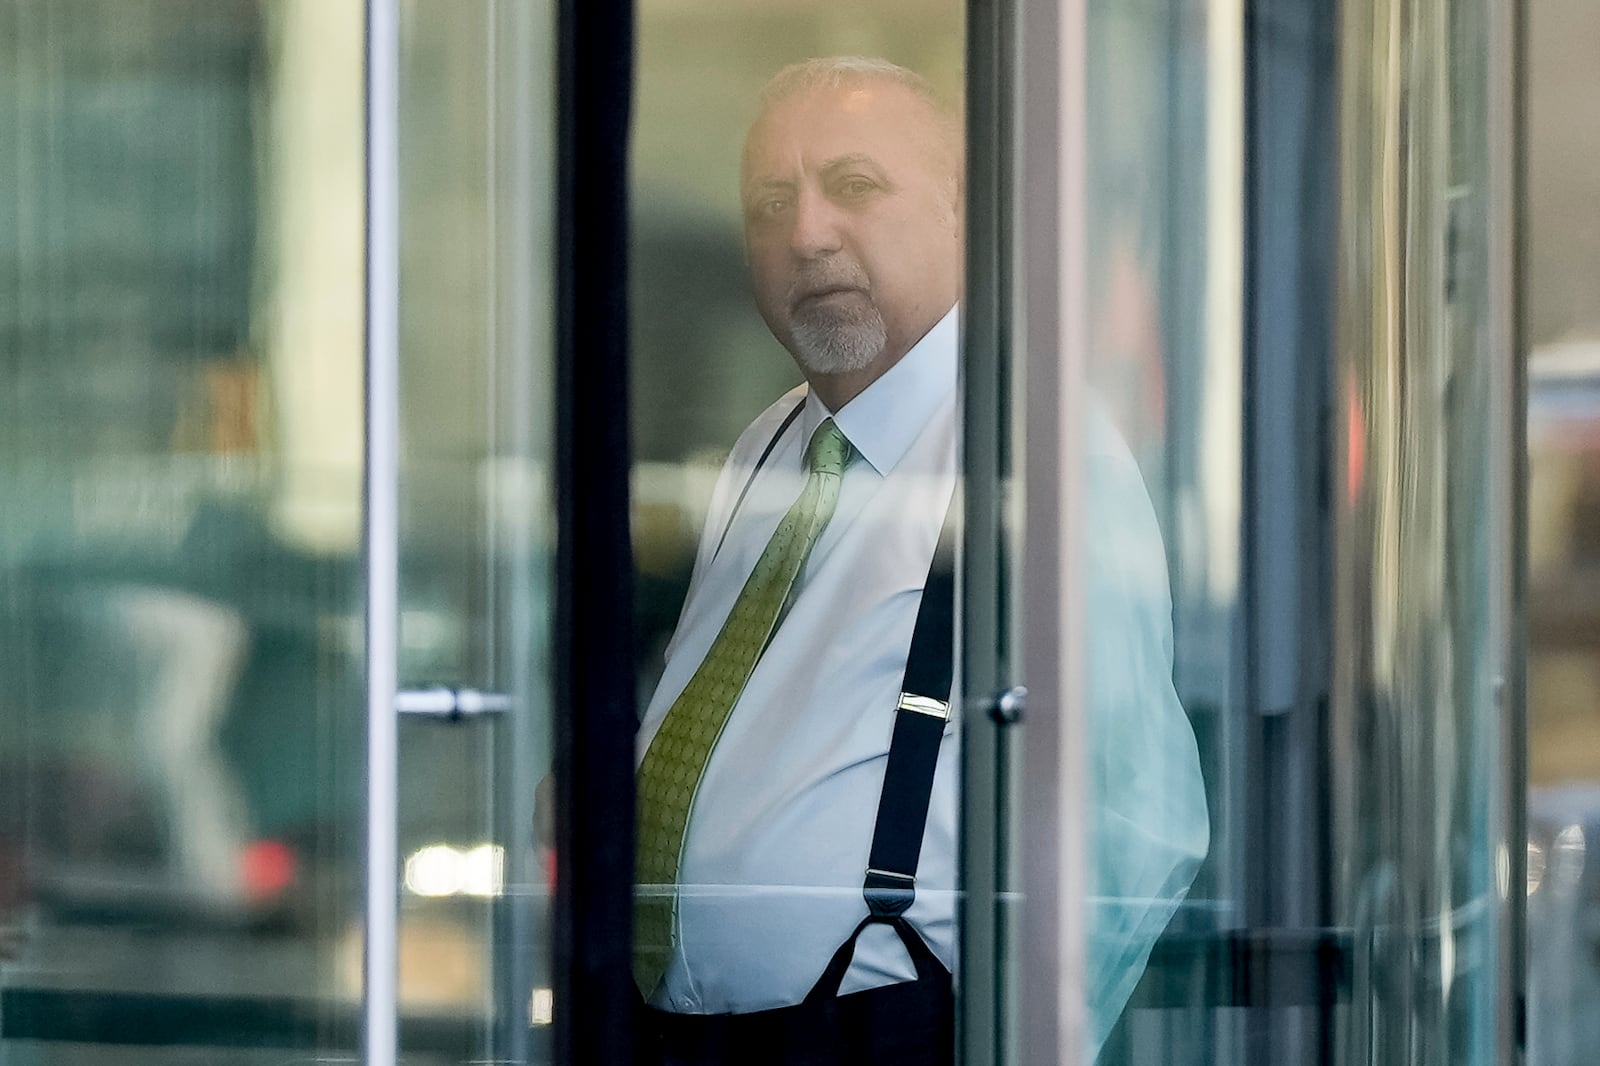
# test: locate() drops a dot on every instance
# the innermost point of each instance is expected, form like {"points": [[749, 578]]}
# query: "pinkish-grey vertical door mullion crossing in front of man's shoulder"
{"points": [[1052, 331]]}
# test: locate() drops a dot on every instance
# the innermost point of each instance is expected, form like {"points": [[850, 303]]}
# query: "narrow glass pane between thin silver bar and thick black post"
{"points": [[478, 526]]}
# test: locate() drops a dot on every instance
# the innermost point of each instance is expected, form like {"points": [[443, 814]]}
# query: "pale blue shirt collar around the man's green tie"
{"points": [[886, 419]]}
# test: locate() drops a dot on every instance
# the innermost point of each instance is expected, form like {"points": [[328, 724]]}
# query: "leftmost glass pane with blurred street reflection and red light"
{"points": [[180, 595]]}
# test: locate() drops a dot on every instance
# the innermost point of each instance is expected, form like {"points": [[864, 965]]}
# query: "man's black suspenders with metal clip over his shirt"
{"points": [[921, 716]]}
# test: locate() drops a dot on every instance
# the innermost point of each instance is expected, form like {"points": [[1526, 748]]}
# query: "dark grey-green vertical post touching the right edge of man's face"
{"points": [[988, 1003]]}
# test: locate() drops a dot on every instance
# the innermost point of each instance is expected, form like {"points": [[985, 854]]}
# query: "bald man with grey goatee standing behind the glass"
{"points": [[764, 751]]}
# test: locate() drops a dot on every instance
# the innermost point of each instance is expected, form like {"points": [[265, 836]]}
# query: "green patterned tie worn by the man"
{"points": [[681, 750]]}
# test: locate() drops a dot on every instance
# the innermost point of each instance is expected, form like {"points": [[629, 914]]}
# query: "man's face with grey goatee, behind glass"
{"points": [[852, 225]]}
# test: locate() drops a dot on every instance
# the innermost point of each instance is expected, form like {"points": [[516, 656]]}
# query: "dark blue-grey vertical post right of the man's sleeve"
{"points": [[1290, 220]]}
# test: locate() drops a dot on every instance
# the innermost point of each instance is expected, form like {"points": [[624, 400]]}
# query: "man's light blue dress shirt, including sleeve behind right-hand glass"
{"points": [[778, 838]]}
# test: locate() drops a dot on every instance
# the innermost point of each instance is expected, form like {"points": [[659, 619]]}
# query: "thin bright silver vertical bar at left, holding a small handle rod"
{"points": [[382, 532]]}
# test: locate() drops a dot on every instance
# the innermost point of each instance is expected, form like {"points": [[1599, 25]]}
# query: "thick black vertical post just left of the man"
{"points": [[594, 668]]}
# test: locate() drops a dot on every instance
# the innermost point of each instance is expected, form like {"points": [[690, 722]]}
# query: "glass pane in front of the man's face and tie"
{"points": [[820, 247]]}
